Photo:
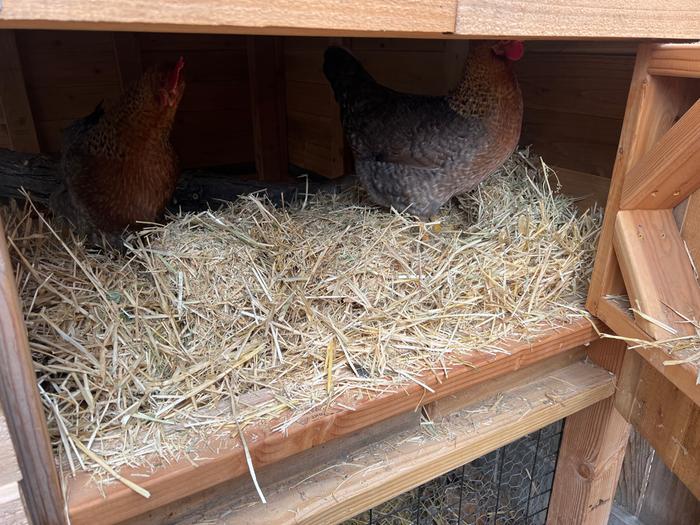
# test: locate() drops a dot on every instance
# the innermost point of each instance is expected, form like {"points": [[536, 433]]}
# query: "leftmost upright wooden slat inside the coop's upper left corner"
{"points": [[13, 97]]}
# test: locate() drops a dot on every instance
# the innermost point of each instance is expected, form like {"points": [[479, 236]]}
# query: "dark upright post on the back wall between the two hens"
{"points": [[268, 103]]}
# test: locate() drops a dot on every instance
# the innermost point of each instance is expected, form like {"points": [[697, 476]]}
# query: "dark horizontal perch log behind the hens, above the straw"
{"points": [[197, 189]]}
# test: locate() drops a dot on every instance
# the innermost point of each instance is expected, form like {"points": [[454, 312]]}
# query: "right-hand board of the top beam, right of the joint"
{"points": [[582, 19]]}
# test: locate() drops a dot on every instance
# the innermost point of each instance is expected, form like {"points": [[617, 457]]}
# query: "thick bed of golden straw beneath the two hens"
{"points": [[148, 352]]}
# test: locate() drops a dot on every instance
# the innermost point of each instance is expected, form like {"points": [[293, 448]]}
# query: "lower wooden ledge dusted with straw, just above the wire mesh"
{"points": [[407, 467]]}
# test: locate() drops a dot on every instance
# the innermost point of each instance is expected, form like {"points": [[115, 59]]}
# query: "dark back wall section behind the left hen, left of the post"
{"points": [[68, 72]]}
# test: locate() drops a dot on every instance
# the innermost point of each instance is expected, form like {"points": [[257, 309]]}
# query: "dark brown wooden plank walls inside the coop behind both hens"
{"points": [[574, 92]]}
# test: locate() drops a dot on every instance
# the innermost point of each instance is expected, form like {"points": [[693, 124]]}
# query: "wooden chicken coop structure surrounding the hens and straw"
{"points": [[612, 105]]}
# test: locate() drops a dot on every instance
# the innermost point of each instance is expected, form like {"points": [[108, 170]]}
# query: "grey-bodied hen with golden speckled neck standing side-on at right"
{"points": [[415, 152]]}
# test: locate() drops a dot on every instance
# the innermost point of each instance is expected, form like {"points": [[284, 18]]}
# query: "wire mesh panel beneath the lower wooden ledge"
{"points": [[509, 486]]}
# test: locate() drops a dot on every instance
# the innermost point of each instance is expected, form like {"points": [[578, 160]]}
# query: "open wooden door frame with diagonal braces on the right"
{"points": [[656, 169]]}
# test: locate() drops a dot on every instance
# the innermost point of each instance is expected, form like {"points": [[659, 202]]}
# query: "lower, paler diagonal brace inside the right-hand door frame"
{"points": [[657, 271]]}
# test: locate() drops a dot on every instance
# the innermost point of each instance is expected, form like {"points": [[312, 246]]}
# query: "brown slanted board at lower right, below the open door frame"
{"points": [[664, 416]]}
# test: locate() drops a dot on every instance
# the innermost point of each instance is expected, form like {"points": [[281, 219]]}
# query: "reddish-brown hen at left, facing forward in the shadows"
{"points": [[118, 167]]}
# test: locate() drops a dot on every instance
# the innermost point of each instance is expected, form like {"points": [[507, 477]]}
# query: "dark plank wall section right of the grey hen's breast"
{"points": [[575, 95]]}
